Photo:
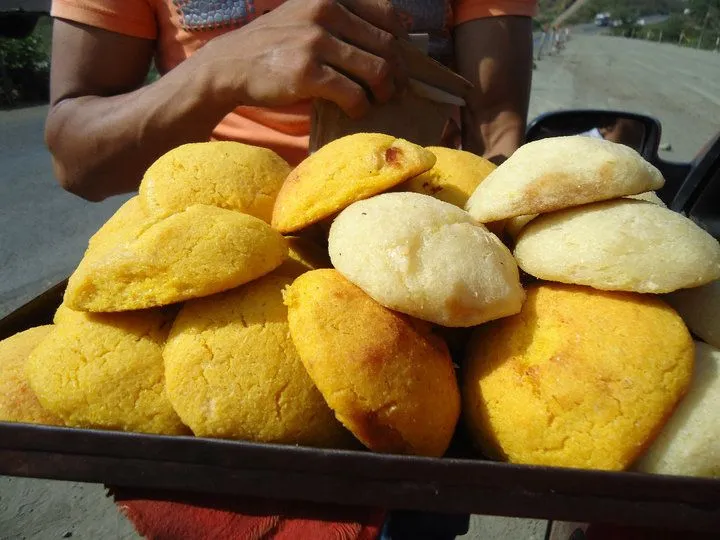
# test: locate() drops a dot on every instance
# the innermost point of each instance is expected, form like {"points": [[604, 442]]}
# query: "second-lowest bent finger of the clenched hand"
{"points": [[367, 69]]}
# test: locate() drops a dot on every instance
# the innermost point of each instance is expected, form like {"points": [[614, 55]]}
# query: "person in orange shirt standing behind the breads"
{"points": [[245, 70]]}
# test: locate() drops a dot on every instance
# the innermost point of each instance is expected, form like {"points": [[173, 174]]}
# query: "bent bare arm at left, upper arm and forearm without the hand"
{"points": [[104, 129]]}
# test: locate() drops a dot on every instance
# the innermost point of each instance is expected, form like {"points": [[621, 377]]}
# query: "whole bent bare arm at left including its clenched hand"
{"points": [[104, 128]]}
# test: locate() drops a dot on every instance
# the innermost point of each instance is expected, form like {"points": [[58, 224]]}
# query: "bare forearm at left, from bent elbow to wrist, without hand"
{"points": [[101, 146]]}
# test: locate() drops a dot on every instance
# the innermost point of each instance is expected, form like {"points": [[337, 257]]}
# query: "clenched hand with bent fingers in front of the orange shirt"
{"points": [[311, 49]]}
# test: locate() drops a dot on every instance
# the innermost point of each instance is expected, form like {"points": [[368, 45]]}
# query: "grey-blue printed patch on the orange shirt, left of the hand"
{"points": [[202, 15]]}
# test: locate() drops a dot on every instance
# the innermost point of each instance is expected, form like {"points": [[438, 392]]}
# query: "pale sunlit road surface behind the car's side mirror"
{"points": [[679, 86]]}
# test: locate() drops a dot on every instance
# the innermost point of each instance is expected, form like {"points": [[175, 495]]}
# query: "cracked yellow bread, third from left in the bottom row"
{"points": [[233, 372]]}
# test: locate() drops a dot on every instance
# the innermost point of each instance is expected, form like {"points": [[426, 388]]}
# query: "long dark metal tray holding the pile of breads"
{"points": [[456, 484]]}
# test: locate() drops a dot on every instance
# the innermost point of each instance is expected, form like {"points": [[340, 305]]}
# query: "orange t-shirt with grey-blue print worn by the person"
{"points": [[181, 27]]}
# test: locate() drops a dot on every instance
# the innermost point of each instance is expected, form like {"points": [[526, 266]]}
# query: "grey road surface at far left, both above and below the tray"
{"points": [[43, 234]]}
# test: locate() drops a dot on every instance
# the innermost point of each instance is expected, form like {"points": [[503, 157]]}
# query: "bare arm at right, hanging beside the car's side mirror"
{"points": [[495, 54]]}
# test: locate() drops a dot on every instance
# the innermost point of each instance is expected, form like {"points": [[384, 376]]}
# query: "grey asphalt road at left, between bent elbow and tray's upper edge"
{"points": [[44, 230]]}
